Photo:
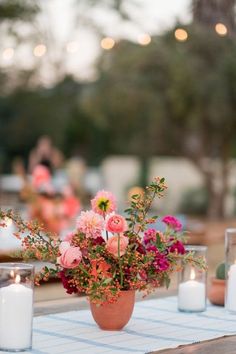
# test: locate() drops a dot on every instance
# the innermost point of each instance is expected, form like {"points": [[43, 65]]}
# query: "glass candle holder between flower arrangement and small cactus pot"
{"points": [[192, 284]]}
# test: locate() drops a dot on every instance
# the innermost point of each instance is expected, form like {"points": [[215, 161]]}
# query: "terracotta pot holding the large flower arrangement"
{"points": [[113, 317]]}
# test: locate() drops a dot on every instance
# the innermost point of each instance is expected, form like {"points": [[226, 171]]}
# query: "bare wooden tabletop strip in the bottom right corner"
{"points": [[223, 345]]}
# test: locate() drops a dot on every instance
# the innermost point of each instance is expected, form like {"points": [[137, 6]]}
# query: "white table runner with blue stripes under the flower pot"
{"points": [[155, 324]]}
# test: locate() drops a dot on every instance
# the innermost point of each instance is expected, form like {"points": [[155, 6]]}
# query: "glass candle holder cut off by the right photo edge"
{"points": [[230, 270]]}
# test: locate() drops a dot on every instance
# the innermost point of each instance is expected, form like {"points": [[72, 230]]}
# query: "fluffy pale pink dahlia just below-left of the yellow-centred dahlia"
{"points": [[90, 223]]}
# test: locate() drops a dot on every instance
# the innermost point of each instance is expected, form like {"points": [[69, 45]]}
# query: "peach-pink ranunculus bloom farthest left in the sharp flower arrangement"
{"points": [[70, 256]]}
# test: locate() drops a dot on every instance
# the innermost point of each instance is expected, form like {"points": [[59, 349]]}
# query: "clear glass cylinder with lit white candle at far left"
{"points": [[16, 306]]}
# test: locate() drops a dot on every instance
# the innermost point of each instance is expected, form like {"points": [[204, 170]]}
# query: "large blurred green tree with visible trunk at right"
{"points": [[172, 98]]}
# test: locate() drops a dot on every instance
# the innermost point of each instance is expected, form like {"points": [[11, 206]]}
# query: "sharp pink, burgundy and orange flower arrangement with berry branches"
{"points": [[108, 253]]}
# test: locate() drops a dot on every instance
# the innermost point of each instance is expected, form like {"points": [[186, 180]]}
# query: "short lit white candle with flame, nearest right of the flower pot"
{"points": [[192, 295]]}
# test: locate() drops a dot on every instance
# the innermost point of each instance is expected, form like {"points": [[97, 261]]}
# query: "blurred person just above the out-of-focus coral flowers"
{"points": [[45, 154]]}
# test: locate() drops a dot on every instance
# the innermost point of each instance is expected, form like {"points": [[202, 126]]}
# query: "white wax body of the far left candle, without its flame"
{"points": [[16, 306]]}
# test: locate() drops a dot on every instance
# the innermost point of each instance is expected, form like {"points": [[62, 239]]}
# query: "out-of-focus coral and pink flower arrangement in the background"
{"points": [[55, 210]]}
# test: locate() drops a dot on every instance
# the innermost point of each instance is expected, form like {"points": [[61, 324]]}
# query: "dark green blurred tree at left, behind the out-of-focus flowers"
{"points": [[26, 114]]}
